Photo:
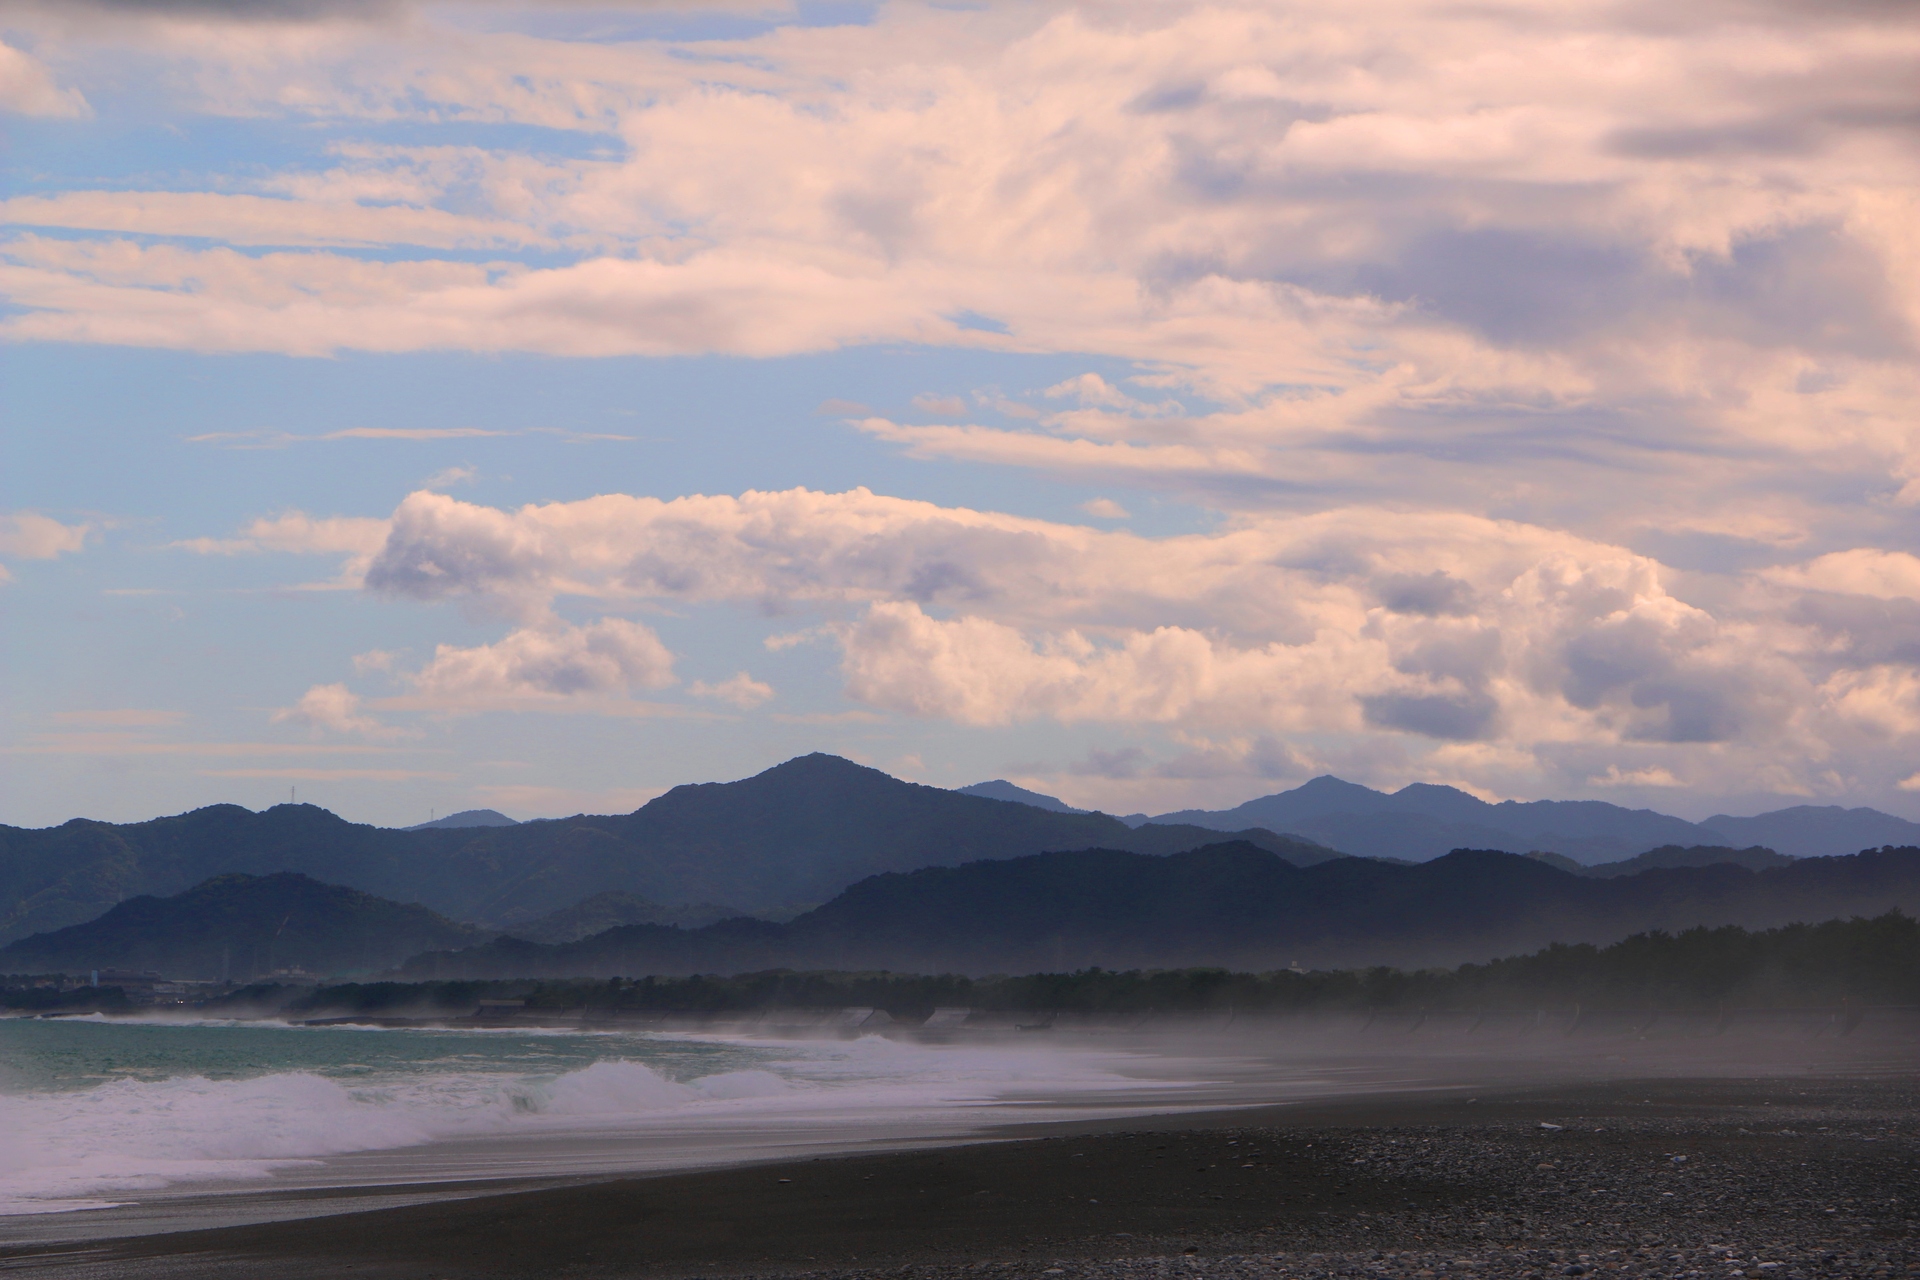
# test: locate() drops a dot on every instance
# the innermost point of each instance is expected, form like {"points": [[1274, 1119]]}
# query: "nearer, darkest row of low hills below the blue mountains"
{"points": [[1224, 905]]}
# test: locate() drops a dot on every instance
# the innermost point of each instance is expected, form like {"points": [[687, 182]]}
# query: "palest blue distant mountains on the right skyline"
{"points": [[1422, 822]]}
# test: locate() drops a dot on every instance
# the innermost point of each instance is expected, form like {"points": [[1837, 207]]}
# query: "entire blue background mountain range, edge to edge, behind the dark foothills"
{"points": [[792, 838]]}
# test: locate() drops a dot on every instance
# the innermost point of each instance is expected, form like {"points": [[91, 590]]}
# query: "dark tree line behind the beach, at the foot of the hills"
{"points": [[1844, 962]]}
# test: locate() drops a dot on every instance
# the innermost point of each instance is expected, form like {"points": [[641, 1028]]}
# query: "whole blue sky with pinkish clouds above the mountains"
{"points": [[414, 408]]}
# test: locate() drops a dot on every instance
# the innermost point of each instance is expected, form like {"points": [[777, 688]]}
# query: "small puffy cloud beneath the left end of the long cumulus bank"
{"points": [[610, 657]]}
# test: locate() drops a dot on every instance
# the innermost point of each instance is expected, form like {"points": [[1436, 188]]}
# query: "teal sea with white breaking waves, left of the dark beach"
{"points": [[101, 1112]]}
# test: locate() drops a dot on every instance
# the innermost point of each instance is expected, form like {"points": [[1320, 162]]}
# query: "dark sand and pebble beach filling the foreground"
{"points": [[1779, 1179]]}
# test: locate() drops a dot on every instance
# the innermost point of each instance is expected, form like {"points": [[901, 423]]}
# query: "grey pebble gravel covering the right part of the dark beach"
{"points": [[1808, 1183]]}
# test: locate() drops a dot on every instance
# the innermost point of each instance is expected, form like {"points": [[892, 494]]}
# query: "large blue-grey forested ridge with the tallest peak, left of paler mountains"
{"points": [[792, 836]]}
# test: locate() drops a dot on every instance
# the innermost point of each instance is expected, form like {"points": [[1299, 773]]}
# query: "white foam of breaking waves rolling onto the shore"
{"points": [[84, 1149]]}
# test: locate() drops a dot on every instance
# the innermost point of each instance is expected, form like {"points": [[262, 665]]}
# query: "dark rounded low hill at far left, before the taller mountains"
{"points": [[245, 926]]}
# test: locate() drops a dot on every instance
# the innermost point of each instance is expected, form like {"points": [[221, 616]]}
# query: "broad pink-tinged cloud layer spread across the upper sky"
{"points": [[1472, 252]]}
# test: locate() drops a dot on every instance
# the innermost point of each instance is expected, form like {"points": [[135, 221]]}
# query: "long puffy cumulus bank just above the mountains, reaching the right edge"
{"points": [[1443, 630]]}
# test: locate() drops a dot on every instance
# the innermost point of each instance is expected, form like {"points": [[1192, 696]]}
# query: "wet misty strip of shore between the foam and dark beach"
{"points": [[1253, 1064]]}
